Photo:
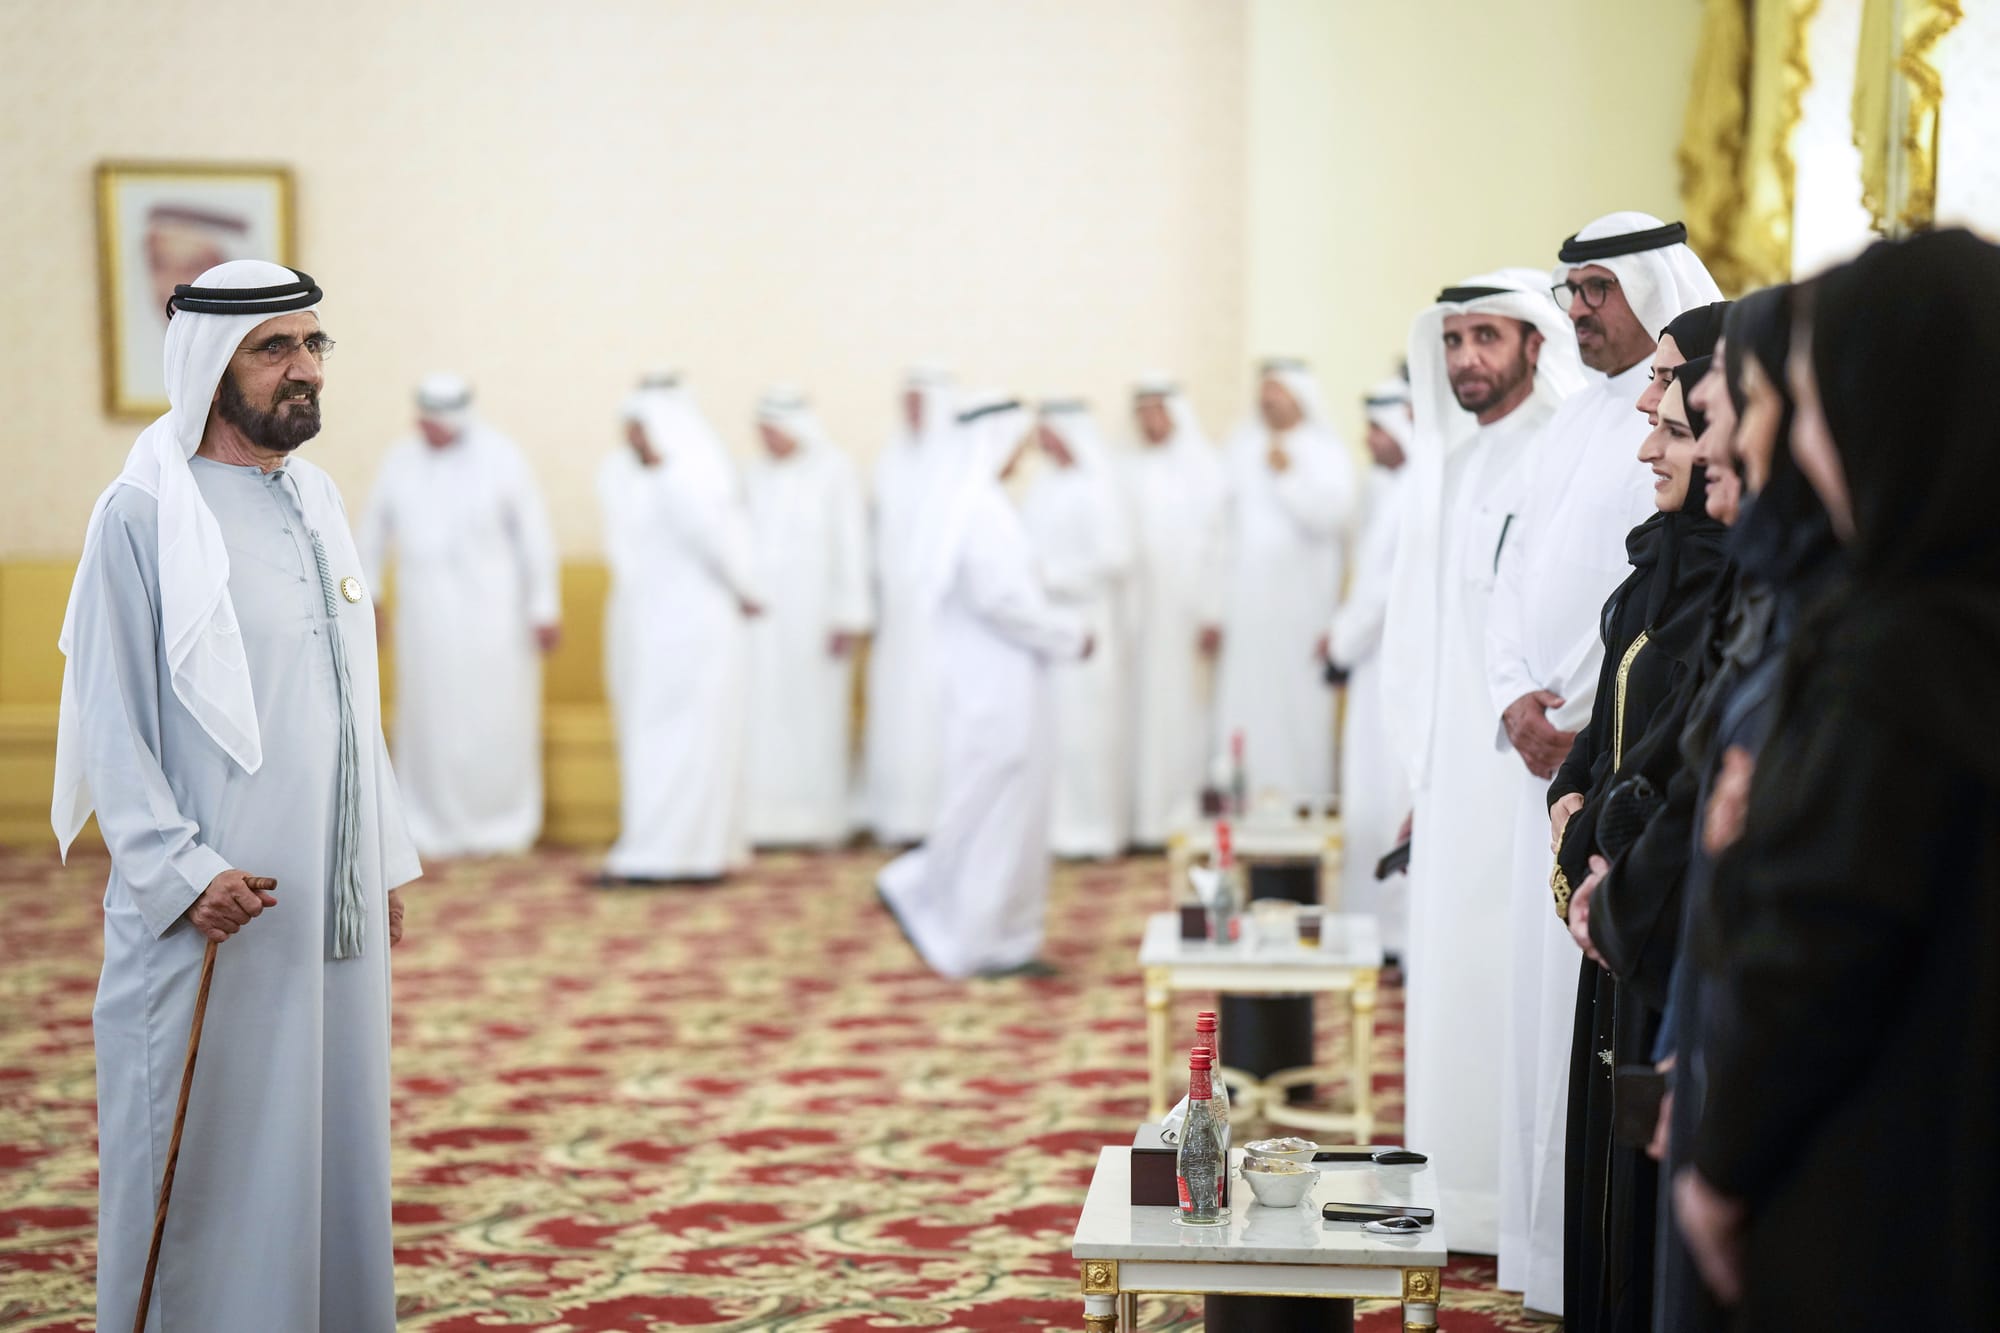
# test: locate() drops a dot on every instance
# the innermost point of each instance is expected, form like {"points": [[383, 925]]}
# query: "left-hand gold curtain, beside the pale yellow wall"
{"points": [[1751, 75]]}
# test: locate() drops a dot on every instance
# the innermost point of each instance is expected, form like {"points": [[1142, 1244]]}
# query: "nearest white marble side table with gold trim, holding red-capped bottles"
{"points": [[1127, 1252]]}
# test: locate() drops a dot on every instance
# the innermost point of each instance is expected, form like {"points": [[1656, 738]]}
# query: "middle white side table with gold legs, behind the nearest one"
{"points": [[1347, 962]]}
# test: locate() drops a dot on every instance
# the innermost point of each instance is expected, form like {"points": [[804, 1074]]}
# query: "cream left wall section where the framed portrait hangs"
{"points": [[553, 197]]}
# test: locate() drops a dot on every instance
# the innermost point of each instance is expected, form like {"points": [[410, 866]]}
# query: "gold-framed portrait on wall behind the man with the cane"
{"points": [[165, 223]]}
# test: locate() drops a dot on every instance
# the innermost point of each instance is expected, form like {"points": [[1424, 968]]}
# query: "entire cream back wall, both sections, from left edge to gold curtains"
{"points": [[1049, 195]]}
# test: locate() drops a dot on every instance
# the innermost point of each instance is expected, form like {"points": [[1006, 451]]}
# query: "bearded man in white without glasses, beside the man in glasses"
{"points": [[1489, 367]]}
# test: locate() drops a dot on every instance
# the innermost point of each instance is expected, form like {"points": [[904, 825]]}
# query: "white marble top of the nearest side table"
{"points": [[1111, 1228]]}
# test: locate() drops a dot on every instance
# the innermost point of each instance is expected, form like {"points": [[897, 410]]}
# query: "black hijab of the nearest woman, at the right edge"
{"points": [[1903, 347]]}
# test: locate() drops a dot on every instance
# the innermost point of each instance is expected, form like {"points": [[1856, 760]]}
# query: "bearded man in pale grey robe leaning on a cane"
{"points": [[219, 712]]}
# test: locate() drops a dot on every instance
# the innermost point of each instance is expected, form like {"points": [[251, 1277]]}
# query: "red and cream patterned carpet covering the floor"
{"points": [[741, 1108]]}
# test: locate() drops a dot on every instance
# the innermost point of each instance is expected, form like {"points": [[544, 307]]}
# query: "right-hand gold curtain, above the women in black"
{"points": [[1899, 39]]}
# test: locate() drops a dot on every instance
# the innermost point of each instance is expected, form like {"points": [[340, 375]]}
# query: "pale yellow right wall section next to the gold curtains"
{"points": [[1401, 145]]}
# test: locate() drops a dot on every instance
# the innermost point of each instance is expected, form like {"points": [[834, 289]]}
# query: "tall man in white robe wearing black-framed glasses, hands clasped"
{"points": [[1621, 281]]}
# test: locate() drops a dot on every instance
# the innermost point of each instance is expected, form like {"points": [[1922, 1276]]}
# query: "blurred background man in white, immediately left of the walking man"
{"points": [[903, 676]]}
